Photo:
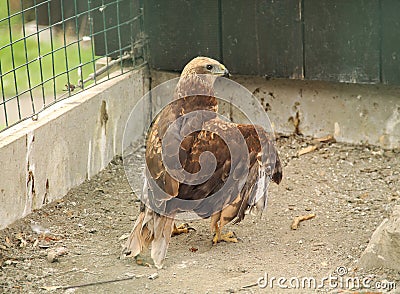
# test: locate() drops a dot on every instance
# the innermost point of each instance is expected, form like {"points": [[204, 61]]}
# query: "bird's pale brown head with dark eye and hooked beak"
{"points": [[205, 66]]}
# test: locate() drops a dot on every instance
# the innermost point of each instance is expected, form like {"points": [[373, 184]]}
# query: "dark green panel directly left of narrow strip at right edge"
{"points": [[342, 40]]}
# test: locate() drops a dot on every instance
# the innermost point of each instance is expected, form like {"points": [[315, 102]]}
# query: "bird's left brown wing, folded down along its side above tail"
{"points": [[169, 138]]}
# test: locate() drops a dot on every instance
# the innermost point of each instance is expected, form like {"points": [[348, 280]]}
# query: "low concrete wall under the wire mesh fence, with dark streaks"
{"points": [[69, 143]]}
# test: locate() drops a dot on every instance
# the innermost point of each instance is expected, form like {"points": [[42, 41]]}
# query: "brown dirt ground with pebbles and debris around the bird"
{"points": [[74, 244]]}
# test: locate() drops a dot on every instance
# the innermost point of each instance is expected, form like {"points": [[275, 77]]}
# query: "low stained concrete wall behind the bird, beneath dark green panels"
{"points": [[353, 113]]}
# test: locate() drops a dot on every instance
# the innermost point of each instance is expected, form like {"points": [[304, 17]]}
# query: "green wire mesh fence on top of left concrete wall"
{"points": [[52, 49]]}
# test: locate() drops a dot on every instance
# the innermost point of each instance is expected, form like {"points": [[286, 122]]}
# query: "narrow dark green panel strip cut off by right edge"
{"points": [[391, 41]]}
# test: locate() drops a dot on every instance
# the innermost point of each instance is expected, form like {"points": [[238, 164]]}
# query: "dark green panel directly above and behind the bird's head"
{"points": [[180, 30]]}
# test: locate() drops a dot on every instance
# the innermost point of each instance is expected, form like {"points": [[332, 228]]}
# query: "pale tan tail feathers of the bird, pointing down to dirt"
{"points": [[150, 229]]}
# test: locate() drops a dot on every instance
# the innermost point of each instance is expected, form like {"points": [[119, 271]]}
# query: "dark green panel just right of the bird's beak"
{"points": [[263, 37]]}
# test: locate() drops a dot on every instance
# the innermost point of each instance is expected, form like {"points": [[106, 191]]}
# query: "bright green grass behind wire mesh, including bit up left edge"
{"points": [[39, 67]]}
